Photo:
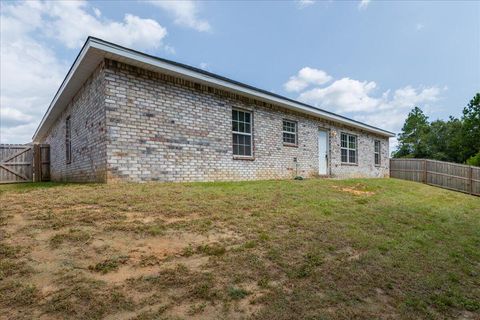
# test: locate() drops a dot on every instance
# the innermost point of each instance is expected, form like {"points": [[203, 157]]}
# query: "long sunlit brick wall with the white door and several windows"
{"points": [[165, 129]]}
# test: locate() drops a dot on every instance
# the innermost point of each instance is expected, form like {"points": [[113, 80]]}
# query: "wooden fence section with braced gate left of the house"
{"points": [[24, 163]]}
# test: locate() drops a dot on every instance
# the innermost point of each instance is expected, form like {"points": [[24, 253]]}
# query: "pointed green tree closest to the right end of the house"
{"points": [[413, 139]]}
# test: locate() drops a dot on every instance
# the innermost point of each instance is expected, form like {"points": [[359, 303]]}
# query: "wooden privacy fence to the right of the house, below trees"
{"points": [[447, 175]]}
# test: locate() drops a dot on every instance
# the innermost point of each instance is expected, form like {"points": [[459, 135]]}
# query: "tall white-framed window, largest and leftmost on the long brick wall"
{"points": [[242, 133]]}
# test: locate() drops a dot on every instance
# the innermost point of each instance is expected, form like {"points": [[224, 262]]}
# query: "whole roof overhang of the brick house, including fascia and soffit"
{"points": [[96, 50]]}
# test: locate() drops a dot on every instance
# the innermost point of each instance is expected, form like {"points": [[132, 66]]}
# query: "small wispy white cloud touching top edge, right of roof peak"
{"points": [[184, 12]]}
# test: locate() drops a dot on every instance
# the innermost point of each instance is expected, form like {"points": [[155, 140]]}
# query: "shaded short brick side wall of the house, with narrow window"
{"points": [[88, 135]]}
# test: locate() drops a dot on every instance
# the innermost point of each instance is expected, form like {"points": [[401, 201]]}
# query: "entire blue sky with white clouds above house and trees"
{"points": [[372, 61]]}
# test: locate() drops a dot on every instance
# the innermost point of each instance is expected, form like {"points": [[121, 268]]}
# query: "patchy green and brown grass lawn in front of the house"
{"points": [[312, 249]]}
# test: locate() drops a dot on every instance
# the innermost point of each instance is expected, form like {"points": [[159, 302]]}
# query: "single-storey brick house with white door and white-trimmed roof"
{"points": [[125, 115]]}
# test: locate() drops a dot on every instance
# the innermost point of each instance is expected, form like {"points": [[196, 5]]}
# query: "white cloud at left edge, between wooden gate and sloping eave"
{"points": [[30, 74]]}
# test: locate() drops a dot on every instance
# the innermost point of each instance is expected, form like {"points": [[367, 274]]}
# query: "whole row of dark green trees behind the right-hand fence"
{"points": [[455, 140]]}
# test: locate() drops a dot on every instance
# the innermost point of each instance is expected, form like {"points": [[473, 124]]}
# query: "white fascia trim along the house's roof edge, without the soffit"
{"points": [[202, 75]]}
